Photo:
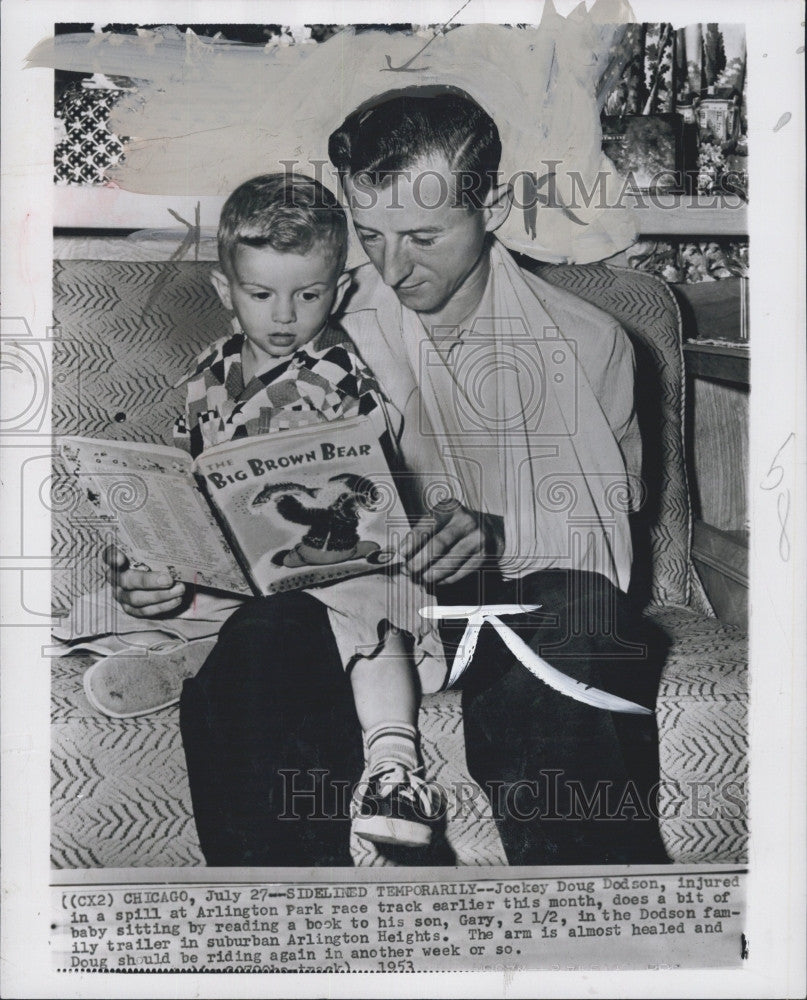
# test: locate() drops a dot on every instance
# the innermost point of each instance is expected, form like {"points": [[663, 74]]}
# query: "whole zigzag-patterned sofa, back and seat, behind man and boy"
{"points": [[126, 332]]}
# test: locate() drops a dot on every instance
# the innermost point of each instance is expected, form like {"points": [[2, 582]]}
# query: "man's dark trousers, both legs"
{"points": [[273, 743]]}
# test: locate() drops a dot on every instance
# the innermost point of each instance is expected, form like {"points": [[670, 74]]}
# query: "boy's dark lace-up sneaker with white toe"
{"points": [[396, 806]]}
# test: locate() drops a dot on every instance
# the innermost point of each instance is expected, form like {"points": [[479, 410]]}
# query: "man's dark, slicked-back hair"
{"points": [[393, 135]]}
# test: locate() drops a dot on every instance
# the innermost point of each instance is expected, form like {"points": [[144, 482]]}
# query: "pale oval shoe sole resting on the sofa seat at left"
{"points": [[124, 685]]}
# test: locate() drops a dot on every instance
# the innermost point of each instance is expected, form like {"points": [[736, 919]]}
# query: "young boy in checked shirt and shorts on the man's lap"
{"points": [[282, 249]]}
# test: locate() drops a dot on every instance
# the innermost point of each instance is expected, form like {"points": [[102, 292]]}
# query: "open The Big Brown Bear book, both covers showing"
{"points": [[257, 515]]}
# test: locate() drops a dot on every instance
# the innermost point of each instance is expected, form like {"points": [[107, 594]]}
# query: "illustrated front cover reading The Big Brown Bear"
{"points": [[309, 506]]}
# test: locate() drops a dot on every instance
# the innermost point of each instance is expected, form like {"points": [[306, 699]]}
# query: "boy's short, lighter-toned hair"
{"points": [[288, 212]]}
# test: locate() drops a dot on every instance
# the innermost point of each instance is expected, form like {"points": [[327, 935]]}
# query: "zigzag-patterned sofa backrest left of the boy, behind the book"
{"points": [[125, 333]]}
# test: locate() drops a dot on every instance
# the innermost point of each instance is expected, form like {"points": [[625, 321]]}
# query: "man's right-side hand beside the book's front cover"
{"points": [[451, 543]]}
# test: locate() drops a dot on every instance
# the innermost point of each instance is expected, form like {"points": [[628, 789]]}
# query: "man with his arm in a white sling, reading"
{"points": [[517, 402]]}
